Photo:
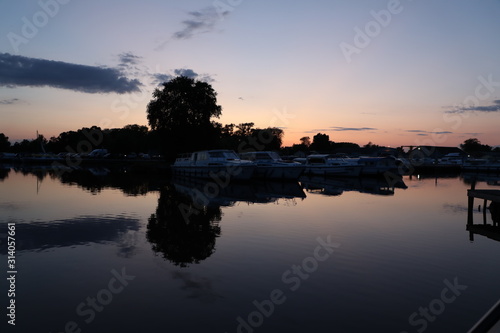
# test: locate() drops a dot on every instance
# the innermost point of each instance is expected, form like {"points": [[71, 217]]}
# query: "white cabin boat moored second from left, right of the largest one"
{"points": [[271, 166]]}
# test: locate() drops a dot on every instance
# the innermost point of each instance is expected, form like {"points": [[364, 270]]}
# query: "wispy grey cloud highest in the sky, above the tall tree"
{"points": [[200, 21]]}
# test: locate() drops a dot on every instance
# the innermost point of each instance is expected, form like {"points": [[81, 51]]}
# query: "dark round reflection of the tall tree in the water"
{"points": [[183, 238]]}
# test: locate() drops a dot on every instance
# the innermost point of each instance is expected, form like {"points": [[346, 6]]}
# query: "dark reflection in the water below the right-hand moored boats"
{"points": [[336, 186]]}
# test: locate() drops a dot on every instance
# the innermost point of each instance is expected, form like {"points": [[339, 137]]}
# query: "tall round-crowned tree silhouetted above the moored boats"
{"points": [[181, 111]]}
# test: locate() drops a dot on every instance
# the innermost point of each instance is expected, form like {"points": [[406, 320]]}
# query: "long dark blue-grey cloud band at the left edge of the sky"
{"points": [[23, 71]]}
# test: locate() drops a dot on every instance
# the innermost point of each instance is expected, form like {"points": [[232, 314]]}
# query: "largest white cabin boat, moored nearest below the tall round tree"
{"points": [[219, 165]]}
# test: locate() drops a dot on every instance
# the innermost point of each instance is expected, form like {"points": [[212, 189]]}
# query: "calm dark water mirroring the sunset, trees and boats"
{"points": [[101, 251]]}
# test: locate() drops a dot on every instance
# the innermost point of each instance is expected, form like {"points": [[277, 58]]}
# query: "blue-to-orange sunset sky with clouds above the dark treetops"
{"points": [[391, 72]]}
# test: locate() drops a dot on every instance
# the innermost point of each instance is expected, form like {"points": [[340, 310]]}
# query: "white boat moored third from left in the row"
{"points": [[325, 165]]}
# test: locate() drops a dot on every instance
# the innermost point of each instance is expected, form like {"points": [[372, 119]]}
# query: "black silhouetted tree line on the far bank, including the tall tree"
{"points": [[181, 119]]}
